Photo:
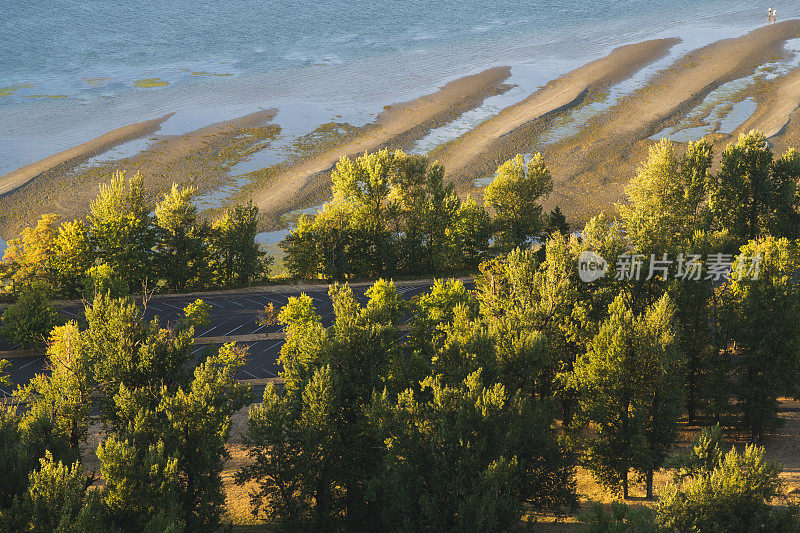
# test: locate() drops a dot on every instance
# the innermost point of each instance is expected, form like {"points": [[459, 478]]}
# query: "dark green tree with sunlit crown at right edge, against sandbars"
{"points": [[752, 195]]}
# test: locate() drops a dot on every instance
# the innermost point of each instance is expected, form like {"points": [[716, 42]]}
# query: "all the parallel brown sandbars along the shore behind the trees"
{"points": [[590, 166]]}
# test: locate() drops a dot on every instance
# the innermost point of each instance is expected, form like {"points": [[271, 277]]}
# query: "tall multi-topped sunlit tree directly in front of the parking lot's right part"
{"points": [[313, 453]]}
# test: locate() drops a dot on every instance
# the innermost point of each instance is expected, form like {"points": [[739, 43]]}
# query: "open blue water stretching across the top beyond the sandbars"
{"points": [[348, 57]]}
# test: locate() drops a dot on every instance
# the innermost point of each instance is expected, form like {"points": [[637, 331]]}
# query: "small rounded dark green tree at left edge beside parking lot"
{"points": [[28, 321]]}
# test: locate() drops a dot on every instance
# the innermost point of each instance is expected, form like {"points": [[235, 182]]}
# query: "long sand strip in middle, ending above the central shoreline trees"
{"points": [[398, 125]]}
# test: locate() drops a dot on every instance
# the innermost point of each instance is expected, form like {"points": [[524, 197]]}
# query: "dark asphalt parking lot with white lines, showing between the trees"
{"points": [[233, 315]]}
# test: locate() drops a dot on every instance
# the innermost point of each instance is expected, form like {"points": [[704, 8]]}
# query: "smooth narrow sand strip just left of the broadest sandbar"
{"points": [[557, 95]]}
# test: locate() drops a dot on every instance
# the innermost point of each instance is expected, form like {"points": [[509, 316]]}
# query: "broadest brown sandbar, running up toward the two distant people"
{"points": [[590, 169]]}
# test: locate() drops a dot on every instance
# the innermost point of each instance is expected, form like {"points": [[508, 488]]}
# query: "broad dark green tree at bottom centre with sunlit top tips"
{"points": [[465, 457]]}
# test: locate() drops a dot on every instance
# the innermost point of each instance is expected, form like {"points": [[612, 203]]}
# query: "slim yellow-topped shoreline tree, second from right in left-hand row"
{"points": [[179, 249]]}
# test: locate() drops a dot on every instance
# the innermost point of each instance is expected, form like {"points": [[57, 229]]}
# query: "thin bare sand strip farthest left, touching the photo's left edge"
{"points": [[77, 154]]}
